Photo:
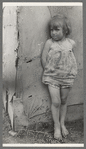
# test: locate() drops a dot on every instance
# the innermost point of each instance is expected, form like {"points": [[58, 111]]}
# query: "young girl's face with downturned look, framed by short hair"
{"points": [[56, 31]]}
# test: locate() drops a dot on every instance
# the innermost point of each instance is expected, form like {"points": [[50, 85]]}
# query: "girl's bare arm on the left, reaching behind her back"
{"points": [[45, 52]]}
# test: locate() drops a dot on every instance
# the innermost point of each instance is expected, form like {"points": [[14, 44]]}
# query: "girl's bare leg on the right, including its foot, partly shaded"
{"points": [[64, 94]]}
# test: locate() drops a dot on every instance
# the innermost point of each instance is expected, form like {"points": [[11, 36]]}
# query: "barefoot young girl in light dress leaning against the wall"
{"points": [[60, 70]]}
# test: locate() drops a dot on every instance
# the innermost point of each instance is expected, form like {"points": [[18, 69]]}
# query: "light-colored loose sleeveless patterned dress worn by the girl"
{"points": [[61, 66]]}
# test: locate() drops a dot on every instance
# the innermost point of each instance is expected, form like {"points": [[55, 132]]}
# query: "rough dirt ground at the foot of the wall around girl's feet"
{"points": [[44, 134]]}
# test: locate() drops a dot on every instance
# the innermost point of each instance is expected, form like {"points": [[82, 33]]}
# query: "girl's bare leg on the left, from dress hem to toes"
{"points": [[55, 108]]}
